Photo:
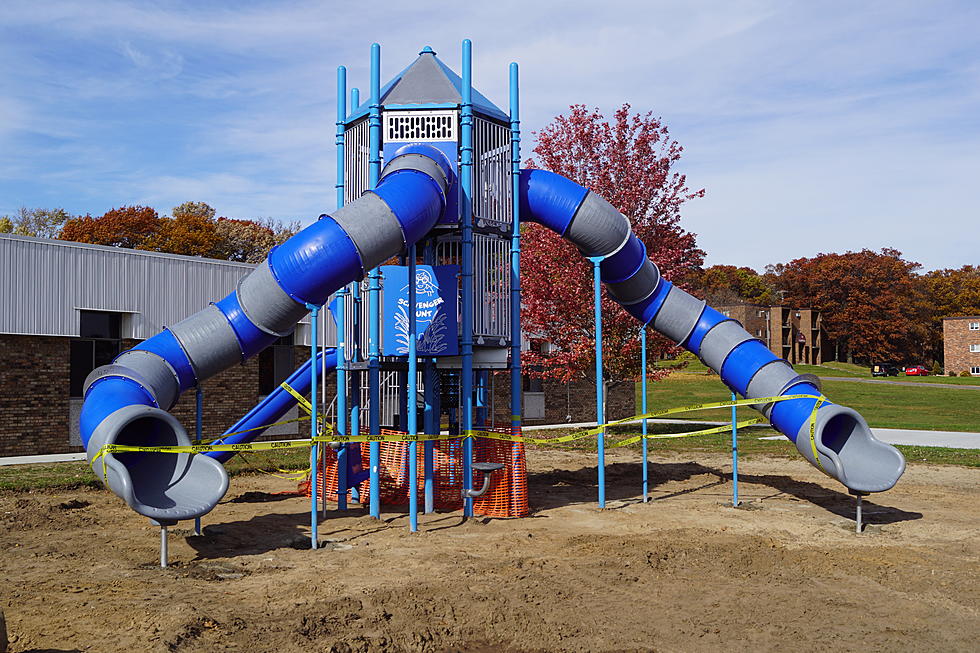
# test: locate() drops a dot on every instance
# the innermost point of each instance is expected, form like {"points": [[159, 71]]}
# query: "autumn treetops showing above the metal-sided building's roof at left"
{"points": [[192, 229]]}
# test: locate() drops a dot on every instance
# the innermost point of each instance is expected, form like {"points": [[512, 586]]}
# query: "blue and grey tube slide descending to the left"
{"points": [[127, 402]]}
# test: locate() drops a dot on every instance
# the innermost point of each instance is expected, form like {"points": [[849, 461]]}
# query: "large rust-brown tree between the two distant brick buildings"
{"points": [[870, 301]]}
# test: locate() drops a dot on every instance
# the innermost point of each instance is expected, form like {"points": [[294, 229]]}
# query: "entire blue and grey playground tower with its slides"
{"points": [[428, 168]]}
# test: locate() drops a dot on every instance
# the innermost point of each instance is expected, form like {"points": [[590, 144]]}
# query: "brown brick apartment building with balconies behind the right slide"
{"points": [[795, 334]]}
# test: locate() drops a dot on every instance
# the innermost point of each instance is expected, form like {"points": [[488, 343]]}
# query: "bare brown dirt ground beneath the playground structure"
{"points": [[685, 572]]}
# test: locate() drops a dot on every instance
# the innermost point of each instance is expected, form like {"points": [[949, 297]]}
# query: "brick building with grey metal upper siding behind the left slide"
{"points": [[70, 307]]}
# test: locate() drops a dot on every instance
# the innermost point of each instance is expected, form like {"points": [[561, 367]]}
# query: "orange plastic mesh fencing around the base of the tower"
{"points": [[507, 496]]}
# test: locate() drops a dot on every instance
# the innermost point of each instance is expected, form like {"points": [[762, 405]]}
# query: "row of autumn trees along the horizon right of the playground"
{"points": [[876, 305]]}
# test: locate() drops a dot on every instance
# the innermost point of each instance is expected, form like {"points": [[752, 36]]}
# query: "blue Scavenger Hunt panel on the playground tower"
{"points": [[436, 321]]}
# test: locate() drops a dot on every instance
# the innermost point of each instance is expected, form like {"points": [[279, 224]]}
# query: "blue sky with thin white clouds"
{"points": [[813, 126]]}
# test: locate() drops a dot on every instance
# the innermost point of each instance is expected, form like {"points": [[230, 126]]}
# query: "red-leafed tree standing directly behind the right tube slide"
{"points": [[629, 161]]}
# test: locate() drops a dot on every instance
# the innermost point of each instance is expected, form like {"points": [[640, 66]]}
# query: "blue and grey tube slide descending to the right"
{"points": [[842, 446]]}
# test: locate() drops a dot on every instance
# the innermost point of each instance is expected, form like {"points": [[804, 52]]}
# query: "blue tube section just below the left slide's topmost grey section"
{"points": [[416, 200]]}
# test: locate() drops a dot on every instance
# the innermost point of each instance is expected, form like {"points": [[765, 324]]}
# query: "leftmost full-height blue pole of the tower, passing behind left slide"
{"points": [[341, 307]]}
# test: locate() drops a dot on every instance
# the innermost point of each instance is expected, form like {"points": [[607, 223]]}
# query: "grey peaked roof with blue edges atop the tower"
{"points": [[429, 81]]}
